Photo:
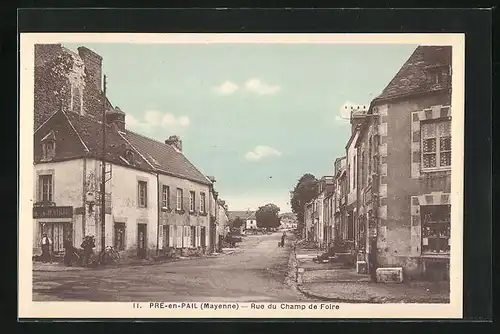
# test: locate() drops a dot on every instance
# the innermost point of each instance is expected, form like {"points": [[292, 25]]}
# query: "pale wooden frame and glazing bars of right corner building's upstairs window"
{"points": [[438, 139]]}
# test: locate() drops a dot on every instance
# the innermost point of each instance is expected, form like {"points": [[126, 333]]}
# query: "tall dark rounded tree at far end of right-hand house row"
{"points": [[305, 190]]}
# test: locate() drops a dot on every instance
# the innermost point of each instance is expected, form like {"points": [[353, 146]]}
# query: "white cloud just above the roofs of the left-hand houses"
{"points": [[155, 119]]}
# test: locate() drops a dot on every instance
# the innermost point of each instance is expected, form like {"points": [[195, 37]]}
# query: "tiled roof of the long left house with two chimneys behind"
{"points": [[165, 158]]}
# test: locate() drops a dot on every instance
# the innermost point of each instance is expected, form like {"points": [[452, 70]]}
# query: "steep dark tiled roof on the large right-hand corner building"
{"points": [[413, 77]]}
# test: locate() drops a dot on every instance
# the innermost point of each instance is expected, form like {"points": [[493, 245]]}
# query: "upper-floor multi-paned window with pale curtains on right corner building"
{"points": [[436, 144]]}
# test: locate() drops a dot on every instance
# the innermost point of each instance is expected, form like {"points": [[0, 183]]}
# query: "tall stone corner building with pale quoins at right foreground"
{"points": [[405, 170]]}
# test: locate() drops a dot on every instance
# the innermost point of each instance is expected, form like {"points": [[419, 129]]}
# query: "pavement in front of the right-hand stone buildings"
{"points": [[332, 282]]}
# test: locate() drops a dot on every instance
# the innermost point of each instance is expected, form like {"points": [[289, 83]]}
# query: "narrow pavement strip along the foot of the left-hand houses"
{"points": [[58, 266]]}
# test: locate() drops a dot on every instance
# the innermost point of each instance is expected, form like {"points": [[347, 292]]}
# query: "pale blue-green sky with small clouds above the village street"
{"points": [[255, 116]]}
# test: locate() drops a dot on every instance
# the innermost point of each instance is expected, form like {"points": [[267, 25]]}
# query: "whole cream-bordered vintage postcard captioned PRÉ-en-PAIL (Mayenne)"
{"points": [[241, 175]]}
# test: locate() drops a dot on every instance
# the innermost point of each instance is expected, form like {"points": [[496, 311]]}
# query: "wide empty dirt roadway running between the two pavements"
{"points": [[256, 272]]}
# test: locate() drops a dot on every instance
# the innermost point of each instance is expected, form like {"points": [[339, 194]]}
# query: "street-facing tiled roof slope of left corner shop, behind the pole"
{"points": [[90, 132]]}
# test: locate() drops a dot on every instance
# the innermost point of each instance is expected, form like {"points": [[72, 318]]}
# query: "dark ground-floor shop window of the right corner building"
{"points": [[435, 228]]}
